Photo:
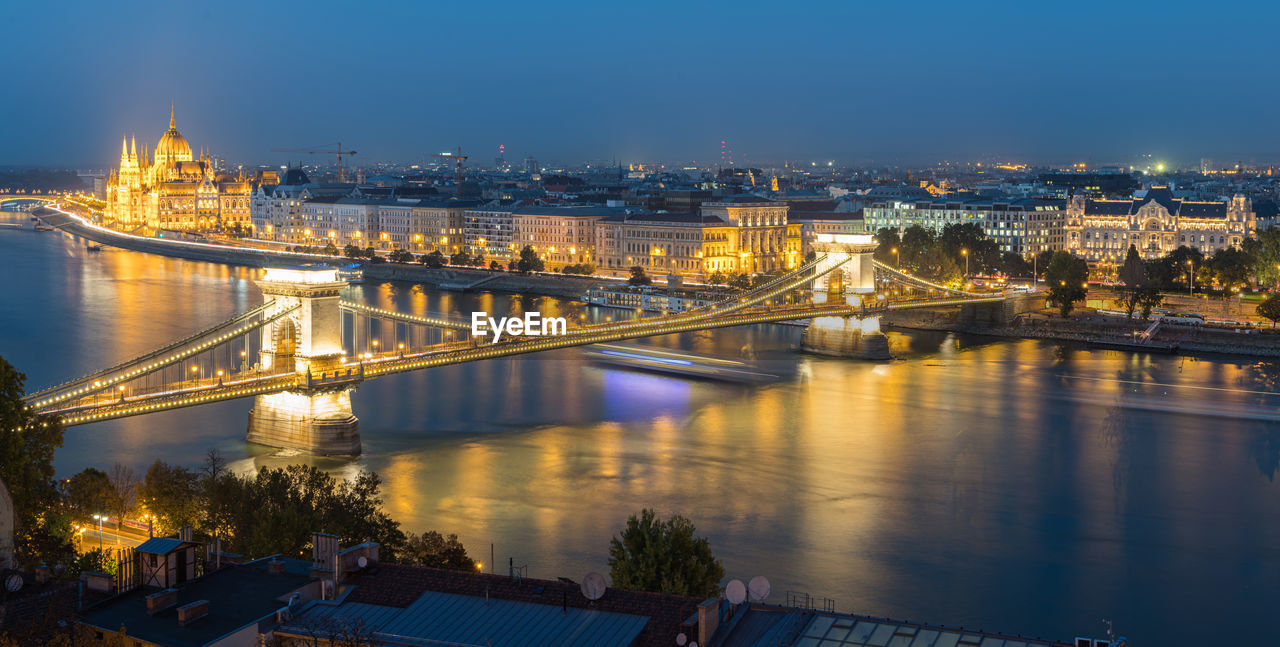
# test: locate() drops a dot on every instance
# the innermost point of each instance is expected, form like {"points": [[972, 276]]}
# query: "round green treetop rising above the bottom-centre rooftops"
{"points": [[664, 557]]}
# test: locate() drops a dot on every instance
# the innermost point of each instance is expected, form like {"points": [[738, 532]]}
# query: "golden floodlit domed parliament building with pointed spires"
{"points": [[175, 190]]}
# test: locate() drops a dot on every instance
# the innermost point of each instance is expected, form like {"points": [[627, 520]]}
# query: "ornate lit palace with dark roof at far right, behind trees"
{"points": [[1156, 224]]}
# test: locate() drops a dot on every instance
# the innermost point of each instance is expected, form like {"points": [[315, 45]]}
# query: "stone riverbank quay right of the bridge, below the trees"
{"points": [[1085, 327]]}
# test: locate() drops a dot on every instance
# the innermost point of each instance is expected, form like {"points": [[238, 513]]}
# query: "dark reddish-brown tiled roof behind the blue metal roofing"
{"points": [[400, 586]]}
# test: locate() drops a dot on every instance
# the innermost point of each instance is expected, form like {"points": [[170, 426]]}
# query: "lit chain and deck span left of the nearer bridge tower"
{"points": [[228, 353]]}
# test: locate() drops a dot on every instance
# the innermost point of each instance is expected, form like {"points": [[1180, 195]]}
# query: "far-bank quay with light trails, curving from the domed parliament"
{"points": [[446, 279]]}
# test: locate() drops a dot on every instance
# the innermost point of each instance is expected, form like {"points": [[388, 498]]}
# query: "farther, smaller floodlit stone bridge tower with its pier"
{"points": [[853, 283]]}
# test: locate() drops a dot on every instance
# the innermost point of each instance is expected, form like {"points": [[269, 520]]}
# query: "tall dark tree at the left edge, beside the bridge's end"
{"points": [[28, 446]]}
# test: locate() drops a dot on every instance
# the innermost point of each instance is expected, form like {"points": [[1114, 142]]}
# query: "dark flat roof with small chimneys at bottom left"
{"points": [[237, 596]]}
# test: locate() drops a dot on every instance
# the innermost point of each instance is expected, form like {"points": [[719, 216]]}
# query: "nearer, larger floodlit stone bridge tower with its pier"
{"points": [[309, 340]]}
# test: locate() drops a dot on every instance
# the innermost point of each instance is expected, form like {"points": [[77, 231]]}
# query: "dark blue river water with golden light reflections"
{"points": [[1017, 486]]}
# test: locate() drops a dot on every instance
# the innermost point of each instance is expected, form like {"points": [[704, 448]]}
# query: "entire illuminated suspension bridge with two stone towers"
{"points": [[304, 352]]}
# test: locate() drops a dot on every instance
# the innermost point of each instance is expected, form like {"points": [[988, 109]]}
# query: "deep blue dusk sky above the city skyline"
{"points": [[854, 83]]}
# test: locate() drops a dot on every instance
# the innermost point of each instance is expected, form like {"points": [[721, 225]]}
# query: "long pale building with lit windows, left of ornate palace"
{"points": [[1021, 226]]}
